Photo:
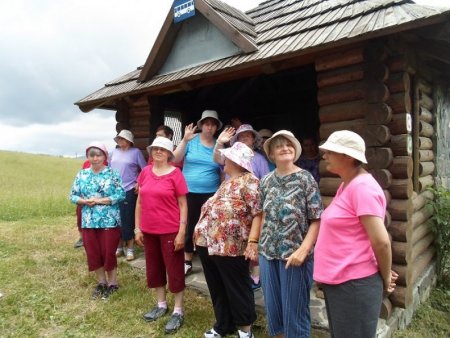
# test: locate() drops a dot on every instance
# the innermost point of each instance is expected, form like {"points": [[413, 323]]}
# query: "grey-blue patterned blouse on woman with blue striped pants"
{"points": [[290, 202]]}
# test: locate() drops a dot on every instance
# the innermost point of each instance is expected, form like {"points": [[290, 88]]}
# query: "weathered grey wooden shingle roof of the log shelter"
{"points": [[287, 27]]}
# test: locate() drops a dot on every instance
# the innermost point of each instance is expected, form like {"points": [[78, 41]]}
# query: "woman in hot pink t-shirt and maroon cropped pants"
{"points": [[161, 216]]}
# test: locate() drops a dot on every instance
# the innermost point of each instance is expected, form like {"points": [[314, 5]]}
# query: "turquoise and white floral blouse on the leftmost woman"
{"points": [[106, 183]]}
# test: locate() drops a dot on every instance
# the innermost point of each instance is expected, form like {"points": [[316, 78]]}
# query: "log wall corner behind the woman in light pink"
{"points": [[378, 96]]}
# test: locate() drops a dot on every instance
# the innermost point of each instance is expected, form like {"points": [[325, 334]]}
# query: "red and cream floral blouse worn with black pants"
{"points": [[226, 218]]}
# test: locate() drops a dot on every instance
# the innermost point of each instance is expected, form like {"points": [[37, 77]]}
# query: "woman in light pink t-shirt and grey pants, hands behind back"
{"points": [[352, 258]]}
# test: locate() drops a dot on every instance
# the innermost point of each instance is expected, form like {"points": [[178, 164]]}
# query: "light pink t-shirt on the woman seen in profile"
{"points": [[343, 251]]}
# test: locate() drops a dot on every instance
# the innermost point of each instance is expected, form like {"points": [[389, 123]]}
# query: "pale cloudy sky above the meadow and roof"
{"points": [[55, 52]]}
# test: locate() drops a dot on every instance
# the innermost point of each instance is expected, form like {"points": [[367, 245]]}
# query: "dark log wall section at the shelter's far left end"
{"points": [[134, 115]]}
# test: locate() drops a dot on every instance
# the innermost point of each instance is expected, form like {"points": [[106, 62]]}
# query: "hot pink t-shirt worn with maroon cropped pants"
{"points": [[160, 213]]}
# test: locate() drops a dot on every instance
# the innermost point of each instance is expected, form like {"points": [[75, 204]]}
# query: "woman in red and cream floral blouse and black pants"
{"points": [[221, 237]]}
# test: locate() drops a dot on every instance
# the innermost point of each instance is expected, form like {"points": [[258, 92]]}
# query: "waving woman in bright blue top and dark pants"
{"points": [[201, 172]]}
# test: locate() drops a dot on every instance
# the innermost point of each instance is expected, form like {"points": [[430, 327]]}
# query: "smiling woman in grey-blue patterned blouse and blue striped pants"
{"points": [[292, 206]]}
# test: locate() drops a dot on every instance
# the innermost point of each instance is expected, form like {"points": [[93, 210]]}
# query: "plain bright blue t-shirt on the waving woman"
{"points": [[202, 174]]}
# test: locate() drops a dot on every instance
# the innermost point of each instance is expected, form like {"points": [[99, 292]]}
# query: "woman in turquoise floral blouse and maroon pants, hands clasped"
{"points": [[99, 190]]}
